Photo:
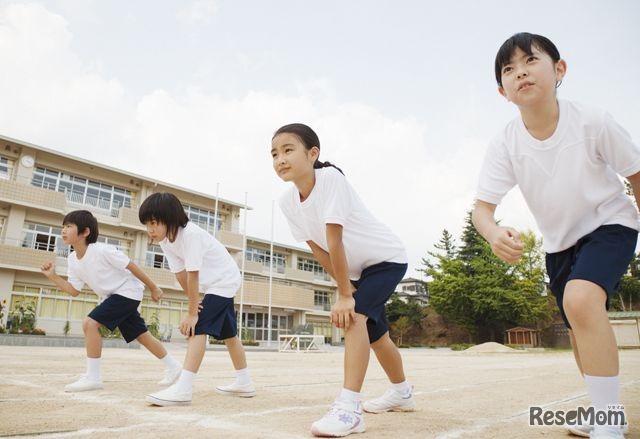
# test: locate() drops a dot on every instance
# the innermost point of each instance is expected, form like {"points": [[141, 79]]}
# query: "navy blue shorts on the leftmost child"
{"points": [[122, 312]]}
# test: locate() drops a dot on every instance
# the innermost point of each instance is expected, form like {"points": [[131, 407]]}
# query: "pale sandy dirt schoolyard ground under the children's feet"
{"points": [[459, 395]]}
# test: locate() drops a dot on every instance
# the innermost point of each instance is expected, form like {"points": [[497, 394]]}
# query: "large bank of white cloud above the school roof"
{"points": [[415, 183]]}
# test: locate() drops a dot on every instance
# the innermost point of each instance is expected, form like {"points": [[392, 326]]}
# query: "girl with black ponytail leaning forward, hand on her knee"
{"points": [[364, 257]]}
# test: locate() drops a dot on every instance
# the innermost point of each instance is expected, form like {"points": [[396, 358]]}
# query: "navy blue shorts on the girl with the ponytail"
{"points": [[376, 284]]}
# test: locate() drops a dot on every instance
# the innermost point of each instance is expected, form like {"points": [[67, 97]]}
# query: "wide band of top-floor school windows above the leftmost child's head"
{"points": [[83, 192]]}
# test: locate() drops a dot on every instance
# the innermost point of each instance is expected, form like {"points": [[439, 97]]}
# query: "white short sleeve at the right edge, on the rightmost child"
{"points": [[617, 149]]}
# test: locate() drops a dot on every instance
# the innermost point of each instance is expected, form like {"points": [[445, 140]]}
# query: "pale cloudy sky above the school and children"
{"points": [[401, 93]]}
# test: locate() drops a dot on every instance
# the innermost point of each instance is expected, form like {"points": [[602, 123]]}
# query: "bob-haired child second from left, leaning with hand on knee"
{"points": [[200, 263]]}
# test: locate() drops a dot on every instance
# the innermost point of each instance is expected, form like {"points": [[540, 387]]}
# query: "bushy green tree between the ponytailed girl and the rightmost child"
{"points": [[478, 291]]}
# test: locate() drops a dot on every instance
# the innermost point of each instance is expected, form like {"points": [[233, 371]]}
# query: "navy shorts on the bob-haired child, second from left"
{"points": [[217, 317]]}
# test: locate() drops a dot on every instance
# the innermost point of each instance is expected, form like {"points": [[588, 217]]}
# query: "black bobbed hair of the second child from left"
{"points": [[165, 208]]}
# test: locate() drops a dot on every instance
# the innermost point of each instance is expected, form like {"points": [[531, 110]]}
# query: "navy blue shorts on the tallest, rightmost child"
{"points": [[601, 257]]}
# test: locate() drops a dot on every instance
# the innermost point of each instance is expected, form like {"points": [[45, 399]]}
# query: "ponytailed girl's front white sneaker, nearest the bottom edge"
{"points": [[340, 421]]}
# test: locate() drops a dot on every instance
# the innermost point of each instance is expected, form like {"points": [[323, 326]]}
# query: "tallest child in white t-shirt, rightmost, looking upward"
{"points": [[566, 158]]}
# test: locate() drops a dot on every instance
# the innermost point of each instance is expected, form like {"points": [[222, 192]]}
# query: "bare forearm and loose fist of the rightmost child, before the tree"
{"points": [[505, 241]]}
